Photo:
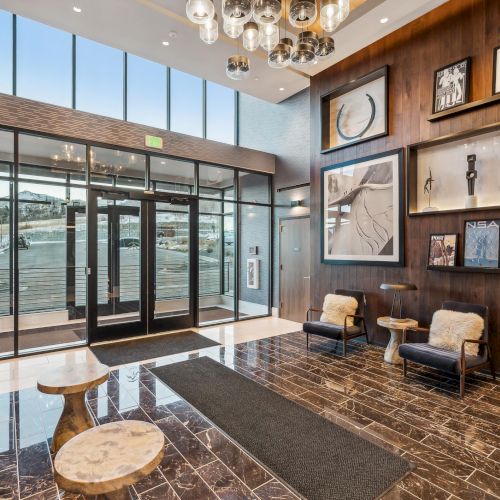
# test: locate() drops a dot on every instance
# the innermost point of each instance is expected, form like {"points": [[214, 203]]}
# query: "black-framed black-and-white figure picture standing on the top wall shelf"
{"points": [[451, 85]]}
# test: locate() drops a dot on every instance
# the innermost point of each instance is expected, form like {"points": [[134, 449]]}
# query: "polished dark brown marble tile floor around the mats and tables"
{"points": [[455, 444]]}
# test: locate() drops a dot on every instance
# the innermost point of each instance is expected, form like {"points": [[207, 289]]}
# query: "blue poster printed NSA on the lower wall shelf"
{"points": [[482, 243]]}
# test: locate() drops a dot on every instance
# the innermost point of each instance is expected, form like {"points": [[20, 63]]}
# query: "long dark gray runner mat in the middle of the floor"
{"points": [[319, 459]]}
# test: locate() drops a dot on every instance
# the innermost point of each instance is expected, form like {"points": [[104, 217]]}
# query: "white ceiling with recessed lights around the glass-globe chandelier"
{"points": [[139, 27]]}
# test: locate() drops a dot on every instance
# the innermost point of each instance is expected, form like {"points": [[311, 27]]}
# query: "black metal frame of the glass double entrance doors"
{"points": [[146, 323]]}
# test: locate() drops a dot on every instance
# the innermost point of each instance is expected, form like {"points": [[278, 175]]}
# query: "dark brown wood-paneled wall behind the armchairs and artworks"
{"points": [[455, 30]]}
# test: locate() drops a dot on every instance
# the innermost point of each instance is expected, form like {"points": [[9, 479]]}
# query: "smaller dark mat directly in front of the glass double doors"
{"points": [[149, 347]]}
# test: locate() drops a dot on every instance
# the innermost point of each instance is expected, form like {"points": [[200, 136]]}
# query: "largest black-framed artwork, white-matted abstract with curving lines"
{"points": [[362, 211]]}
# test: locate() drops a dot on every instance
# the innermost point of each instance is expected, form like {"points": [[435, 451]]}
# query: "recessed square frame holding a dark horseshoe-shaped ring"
{"points": [[355, 112]]}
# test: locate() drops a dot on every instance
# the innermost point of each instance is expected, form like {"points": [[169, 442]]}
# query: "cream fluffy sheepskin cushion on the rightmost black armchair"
{"points": [[450, 328]]}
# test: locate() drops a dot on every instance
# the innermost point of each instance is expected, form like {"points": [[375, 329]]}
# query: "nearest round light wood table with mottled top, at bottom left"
{"points": [[107, 459]]}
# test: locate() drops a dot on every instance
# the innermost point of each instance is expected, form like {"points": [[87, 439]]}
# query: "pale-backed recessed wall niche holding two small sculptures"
{"points": [[446, 158]]}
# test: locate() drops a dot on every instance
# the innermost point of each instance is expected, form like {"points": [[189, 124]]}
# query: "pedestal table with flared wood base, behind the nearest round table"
{"points": [[72, 381]]}
